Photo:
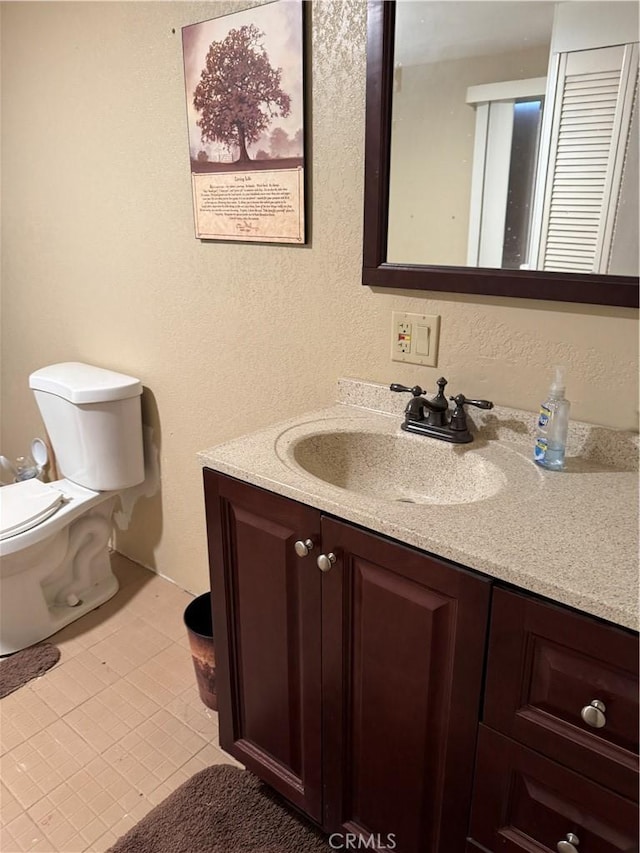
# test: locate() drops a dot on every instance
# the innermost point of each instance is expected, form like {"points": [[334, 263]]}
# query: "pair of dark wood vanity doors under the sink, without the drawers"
{"points": [[355, 692]]}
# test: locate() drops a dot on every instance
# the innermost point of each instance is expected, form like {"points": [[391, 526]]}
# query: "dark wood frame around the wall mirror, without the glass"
{"points": [[376, 272]]}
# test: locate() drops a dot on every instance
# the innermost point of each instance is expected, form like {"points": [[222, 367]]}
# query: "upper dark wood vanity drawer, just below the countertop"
{"points": [[545, 665]]}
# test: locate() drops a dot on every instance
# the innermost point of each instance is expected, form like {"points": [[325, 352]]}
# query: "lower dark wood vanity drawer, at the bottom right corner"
{"points": [[525, 802]]}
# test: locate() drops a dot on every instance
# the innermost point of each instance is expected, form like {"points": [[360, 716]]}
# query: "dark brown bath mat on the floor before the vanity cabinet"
{"points": [[222, 809]]}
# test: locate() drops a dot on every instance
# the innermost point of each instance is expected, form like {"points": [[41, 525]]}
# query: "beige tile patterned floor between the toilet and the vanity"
{"points": [[90, 747]]}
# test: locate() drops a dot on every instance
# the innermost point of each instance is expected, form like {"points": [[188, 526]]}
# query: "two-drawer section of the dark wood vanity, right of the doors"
{"points": [[558, 746]]}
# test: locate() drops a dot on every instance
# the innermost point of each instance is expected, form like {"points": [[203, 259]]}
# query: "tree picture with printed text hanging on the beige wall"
{"points": [[245, 112]]}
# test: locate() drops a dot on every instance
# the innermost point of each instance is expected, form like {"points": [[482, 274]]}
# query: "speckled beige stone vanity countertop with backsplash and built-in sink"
{"points": [[571, 536]]}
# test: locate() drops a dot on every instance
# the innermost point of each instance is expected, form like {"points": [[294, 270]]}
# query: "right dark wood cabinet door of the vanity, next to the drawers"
{"points": [[403, 639]]}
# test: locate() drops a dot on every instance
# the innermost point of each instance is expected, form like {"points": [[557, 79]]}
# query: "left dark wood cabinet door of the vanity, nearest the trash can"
{"points": [[266, 610]]}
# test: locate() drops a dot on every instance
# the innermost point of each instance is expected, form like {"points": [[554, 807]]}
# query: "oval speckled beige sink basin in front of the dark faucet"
{"points": [[396, 467]]}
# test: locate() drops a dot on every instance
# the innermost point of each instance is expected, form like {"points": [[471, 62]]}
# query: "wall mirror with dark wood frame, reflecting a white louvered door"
{"points": [[501, 153]]}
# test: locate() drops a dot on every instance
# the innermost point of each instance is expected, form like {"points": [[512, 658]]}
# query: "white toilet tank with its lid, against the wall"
{"points": [[93, 418]]}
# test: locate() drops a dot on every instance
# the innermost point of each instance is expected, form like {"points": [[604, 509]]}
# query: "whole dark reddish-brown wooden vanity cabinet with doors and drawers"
{"points": [[356, 691]]}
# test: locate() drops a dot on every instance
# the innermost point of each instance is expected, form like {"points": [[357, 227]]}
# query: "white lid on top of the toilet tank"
{"points": [[84, 383]]}
